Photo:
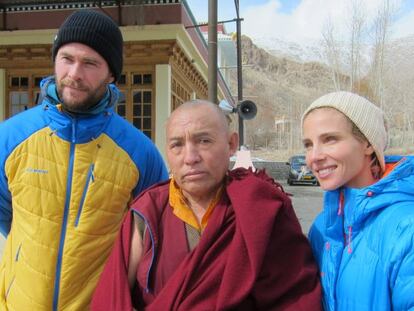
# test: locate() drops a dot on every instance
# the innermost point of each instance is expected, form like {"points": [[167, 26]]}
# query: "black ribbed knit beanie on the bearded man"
{"points": [[95, 30]]}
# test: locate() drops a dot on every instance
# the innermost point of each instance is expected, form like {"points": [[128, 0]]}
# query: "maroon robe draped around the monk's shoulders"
{"points": [[251, 256]]}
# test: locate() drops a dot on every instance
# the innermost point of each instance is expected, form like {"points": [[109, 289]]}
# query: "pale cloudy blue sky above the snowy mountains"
{"points": [[301, 20]]}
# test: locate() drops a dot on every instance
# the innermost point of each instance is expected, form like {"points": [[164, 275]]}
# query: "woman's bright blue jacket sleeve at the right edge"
{"points": [[402, 274]]}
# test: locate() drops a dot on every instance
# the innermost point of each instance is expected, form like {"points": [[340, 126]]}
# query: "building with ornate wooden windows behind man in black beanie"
{"points": [[165, 57]]}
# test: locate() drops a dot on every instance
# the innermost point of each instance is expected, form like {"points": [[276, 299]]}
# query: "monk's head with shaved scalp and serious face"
{"points": [[199, 146]]}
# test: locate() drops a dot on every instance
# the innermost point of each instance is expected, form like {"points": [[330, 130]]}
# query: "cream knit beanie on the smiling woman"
{"points": [[369, 119]]}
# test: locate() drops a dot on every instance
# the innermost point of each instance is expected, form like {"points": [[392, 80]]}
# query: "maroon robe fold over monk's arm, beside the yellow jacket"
{"points": [[112, 292]]}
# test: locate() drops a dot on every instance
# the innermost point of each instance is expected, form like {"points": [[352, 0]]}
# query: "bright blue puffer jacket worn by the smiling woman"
{"points": [[365, 246]]}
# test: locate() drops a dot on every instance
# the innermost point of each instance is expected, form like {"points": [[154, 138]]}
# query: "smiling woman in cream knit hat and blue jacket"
{"points": [[363, 240]]}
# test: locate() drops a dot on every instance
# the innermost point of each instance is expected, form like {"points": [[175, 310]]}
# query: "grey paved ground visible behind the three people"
{"points": [[307, 202]]}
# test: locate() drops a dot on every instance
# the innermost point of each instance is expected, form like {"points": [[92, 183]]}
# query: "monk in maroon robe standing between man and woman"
{"points": [[209, 239]]}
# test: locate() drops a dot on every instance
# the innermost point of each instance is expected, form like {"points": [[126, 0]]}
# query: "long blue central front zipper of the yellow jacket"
{"points": [[65, 218]]}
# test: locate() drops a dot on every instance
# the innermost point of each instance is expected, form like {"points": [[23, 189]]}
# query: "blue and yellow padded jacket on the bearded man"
{"points": [[65, 184]]}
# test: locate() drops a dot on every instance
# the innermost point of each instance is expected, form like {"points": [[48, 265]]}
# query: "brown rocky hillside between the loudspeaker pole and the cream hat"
{"points": [[282, 89]]}
